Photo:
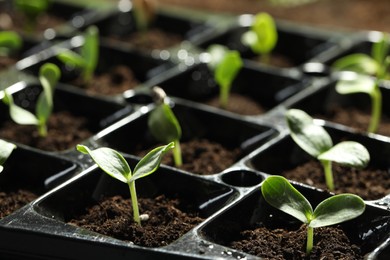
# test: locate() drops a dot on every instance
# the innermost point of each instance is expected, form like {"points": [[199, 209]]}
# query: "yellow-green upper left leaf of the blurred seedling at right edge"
{"points": [[359, 63]]}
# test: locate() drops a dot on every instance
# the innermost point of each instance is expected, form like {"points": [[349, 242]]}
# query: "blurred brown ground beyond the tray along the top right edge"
{"points": [[331, 14]]}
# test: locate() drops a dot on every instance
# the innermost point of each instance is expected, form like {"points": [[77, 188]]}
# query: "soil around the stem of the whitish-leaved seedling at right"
{"points": [[370, 184]]}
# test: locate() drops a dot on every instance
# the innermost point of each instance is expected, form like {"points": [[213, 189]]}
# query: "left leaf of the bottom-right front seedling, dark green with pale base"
{"points": [[279, 193]]}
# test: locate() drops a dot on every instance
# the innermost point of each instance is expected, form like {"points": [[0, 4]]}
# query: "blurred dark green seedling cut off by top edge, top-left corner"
{"points": [[31, 10]]}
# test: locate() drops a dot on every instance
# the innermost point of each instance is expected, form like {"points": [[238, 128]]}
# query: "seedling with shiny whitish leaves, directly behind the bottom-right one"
{"points": [[314, 140]]}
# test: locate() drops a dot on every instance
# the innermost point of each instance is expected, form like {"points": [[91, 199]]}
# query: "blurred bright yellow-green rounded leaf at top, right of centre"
{"points": [[266, 33]]}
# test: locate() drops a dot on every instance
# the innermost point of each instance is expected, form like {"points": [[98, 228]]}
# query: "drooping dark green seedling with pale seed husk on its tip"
{"points": [[164, 125]]}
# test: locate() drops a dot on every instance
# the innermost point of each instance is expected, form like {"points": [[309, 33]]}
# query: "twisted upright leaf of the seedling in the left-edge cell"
{"points": [[49, 75]]}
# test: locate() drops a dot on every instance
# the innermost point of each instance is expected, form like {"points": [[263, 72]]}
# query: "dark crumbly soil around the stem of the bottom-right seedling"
{"points": [[329, 243]]}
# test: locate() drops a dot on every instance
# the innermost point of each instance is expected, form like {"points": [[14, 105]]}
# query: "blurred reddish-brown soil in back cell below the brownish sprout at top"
{"points": [[153, 38]]}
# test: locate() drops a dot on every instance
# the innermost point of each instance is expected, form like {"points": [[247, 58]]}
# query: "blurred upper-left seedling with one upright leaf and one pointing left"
{"points": [[88, 58]]}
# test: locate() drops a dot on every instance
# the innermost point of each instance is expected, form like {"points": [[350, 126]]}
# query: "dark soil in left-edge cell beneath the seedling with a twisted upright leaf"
{"points": [[64, 132]]}
